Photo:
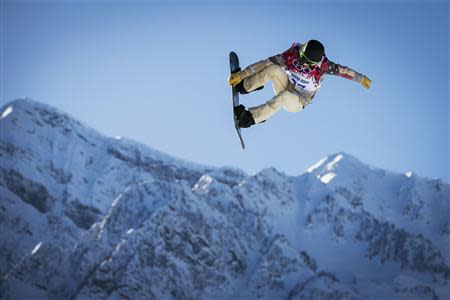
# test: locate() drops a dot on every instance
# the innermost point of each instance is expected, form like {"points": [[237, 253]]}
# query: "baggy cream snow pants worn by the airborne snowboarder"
{"points": [[290, 101]]}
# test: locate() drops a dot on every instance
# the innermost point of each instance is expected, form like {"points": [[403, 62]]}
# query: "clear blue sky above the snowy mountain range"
{"points": [[155, 72]]}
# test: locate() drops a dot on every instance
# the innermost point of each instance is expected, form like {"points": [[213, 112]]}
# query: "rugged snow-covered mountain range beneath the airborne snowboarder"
{"points": [[84, 216]]}
